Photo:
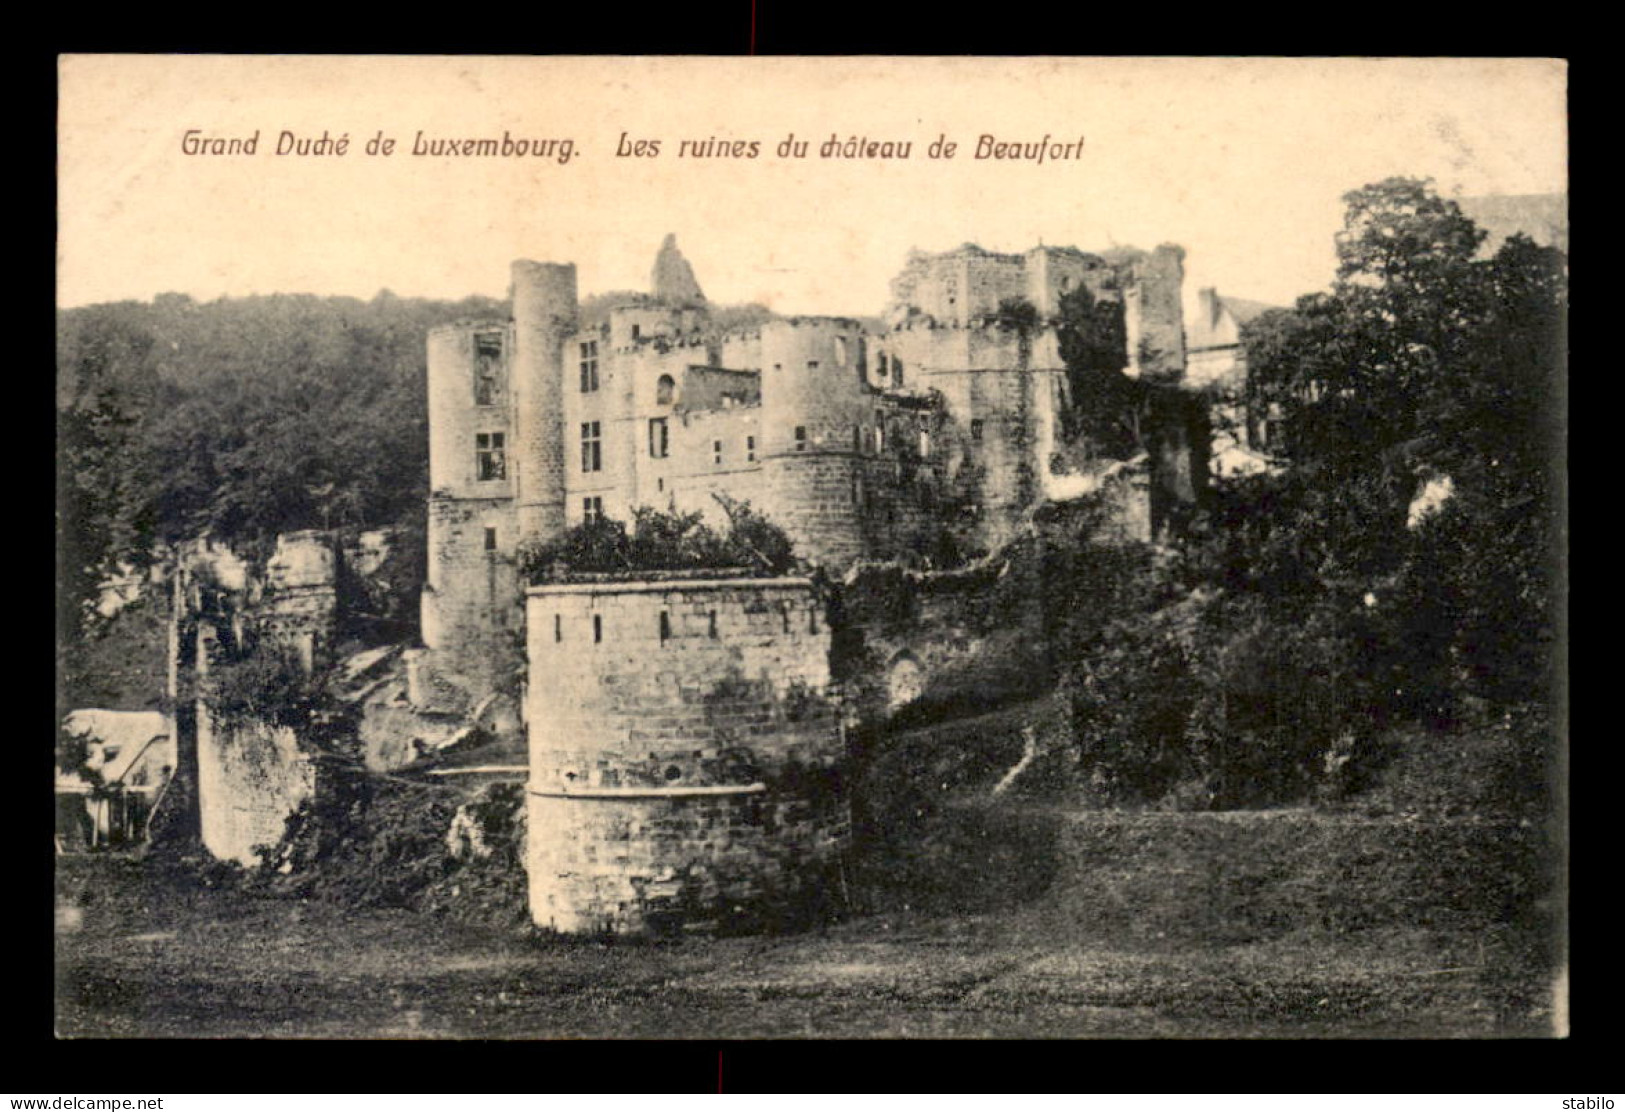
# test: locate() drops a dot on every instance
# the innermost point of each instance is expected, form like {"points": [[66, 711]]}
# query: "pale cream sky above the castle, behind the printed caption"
{"points": [[1241, 162]]}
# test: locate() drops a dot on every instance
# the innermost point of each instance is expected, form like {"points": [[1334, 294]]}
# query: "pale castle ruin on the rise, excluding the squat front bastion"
{"points": [[862, 441]]}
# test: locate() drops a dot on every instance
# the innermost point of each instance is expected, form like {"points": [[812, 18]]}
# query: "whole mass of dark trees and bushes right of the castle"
{"points": [[1319, 606]]}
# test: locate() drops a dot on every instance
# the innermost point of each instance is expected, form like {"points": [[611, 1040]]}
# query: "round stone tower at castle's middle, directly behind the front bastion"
{"points": [[815, 409]]}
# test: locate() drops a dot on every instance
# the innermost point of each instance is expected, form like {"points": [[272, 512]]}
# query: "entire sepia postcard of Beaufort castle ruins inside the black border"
{"points": [[678, 549]]}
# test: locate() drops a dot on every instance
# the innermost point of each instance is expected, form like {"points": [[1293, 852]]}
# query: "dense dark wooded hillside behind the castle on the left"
{"points": [[243, 419]]}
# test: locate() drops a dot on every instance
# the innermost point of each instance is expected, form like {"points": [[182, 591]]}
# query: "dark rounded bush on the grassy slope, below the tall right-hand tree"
{"points": [[1229, 700]]}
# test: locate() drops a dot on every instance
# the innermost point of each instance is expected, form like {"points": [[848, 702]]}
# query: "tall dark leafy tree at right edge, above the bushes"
{"points": [[1424, 363]]}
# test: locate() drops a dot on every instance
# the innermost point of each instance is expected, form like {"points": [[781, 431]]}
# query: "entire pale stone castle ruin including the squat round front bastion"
{"points": [[687, 741]]}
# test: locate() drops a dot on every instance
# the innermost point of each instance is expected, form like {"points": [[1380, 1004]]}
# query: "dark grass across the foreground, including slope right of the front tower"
{"points": [[974, 918]]}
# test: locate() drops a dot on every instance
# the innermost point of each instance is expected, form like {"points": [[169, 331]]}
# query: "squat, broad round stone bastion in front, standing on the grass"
{"points": [[687, 755]]}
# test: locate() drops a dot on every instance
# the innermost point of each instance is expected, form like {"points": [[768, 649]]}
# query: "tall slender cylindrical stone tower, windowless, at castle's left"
{"points": [[545, 318]]}
